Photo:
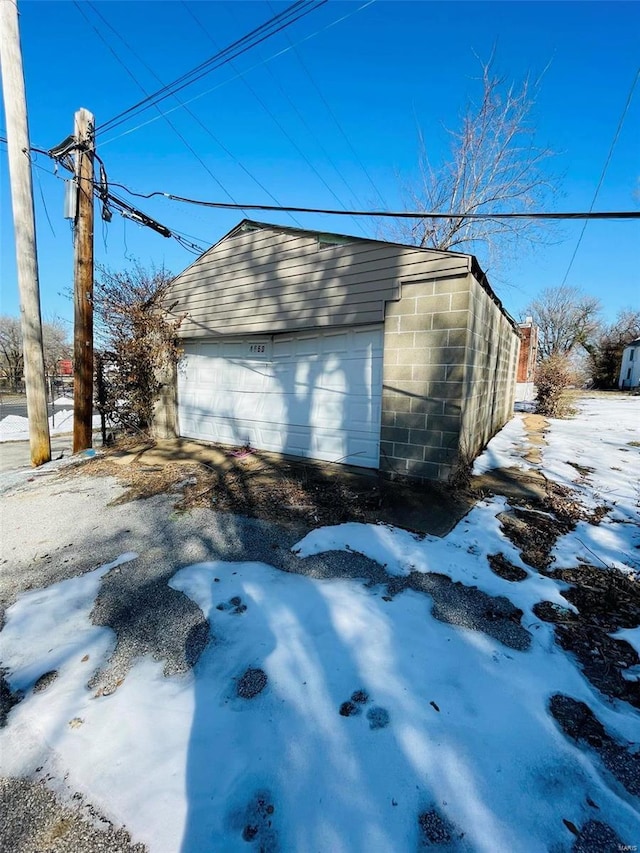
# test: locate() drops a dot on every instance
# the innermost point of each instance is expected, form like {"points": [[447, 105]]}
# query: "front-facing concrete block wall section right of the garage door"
{"points": [[423, 384]]}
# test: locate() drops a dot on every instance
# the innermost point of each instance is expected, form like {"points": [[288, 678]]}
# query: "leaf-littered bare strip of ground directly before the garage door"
{"points": [[276, 488]]}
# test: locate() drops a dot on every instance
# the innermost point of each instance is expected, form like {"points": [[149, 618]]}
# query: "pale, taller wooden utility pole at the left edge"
{"points": [[25, 231]]}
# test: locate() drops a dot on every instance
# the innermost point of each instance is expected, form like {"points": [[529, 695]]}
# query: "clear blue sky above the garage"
{"points": [[347, 128]]}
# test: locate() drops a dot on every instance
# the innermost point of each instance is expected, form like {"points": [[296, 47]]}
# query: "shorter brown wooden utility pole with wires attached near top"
{"points": [[84, 132]]}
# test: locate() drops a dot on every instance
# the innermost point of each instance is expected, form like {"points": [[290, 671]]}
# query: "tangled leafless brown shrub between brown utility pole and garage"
{"points": [[137, 335]]}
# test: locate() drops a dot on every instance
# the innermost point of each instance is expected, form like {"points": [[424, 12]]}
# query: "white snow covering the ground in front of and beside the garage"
{"points": [[325, 715]]}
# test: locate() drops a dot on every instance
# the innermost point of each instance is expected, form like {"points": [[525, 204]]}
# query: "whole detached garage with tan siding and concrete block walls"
{"points": [[339, 348]]}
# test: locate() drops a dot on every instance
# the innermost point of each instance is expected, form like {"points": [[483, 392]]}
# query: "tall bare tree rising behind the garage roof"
{"points": [[494, 167]]}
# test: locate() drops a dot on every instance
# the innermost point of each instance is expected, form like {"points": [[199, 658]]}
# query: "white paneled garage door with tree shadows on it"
{"points": [[312, 394]]}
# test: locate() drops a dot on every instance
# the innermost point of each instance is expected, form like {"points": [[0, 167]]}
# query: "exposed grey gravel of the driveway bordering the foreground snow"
{"points": [[55, 528]]}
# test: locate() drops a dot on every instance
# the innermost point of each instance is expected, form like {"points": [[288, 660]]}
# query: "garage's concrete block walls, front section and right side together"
{"points": [[448, 376]]}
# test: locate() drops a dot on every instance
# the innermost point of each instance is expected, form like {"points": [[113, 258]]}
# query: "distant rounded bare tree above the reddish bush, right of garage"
{"points": [[565, 317]]}
